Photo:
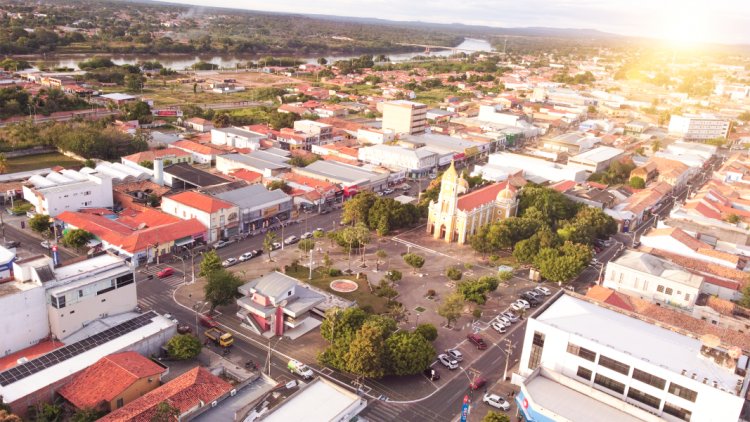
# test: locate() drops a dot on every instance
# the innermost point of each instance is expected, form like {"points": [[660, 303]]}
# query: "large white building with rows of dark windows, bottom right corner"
{"points": [[581, 356]]}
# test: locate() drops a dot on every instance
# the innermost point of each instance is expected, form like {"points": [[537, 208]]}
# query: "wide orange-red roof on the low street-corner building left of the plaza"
{"points": [[125, 234]]}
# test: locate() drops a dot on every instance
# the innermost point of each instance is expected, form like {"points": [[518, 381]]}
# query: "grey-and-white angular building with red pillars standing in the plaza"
{"points": [[276, 303]]}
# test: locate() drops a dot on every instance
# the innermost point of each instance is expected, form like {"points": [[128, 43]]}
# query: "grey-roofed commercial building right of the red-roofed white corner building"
{"points": [[258, 207]]}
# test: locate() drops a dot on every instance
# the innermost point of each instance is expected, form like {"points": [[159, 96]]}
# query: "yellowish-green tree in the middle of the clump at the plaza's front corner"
{"points": [[367, 351]]}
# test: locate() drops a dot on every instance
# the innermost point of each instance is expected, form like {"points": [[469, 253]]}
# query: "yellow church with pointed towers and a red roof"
{"points": [[456, 215]]}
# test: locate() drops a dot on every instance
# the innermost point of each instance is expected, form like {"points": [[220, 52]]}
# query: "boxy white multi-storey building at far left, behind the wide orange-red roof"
{"points": [[69, 190]]}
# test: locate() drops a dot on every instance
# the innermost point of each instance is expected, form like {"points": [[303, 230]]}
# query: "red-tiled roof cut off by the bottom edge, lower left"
{"points": [[191, 389]]}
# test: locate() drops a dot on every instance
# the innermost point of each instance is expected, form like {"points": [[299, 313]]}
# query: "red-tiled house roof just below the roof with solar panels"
{"points": [[108, 378]]}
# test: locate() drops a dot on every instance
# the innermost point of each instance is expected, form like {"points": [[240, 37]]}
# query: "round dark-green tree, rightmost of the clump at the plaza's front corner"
{"points": [[408, 353]]}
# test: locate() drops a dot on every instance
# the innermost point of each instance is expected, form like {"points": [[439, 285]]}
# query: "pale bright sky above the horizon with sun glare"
{"points": [[682, 21]]}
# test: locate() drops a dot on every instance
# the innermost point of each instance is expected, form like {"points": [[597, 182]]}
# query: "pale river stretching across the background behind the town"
{"points": [[181, 62]]}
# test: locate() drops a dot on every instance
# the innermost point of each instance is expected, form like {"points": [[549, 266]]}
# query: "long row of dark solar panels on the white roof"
{"points": [[53, 358]]}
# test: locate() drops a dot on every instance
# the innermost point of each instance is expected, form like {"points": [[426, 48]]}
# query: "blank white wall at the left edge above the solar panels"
{"points": [[23, 319]]}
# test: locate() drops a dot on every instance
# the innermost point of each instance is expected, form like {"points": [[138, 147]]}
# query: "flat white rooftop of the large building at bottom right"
{"points": [[624, 332]]}
